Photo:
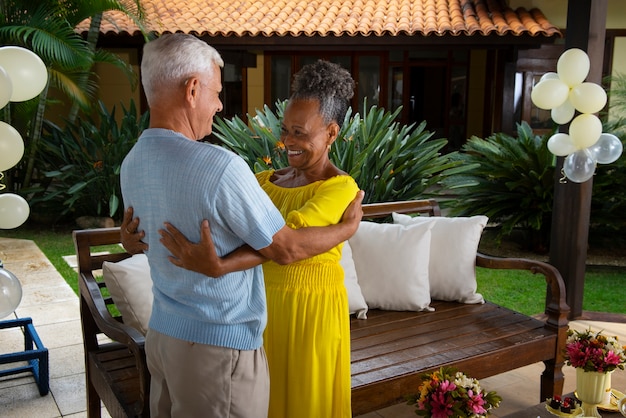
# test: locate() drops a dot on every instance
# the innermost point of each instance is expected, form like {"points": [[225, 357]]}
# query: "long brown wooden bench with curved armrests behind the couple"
{"points": [[389, 349]]}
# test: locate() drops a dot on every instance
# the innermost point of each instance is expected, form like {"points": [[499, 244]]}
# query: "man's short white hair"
{"points": [[171, 59]]}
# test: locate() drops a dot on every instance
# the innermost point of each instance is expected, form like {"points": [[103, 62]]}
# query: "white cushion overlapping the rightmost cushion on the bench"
{"points": [[392, 265]]}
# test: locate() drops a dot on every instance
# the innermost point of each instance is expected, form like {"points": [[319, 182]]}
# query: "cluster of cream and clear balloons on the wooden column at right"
{"points": [[564, 93]]}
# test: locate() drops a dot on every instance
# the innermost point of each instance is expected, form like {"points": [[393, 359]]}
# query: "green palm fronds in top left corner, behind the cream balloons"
{"points": [[46, 27]]}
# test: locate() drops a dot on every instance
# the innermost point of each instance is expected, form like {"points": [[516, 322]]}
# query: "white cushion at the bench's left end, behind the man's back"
{"points": [[130, 285]]}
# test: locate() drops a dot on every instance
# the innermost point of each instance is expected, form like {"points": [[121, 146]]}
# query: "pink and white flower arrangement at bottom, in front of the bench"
{"points": [[450, 393]]}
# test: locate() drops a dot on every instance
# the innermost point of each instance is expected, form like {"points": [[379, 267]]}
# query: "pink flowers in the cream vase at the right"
{"points": [[594, 352]]}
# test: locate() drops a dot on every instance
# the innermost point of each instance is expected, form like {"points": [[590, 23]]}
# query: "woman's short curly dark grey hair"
{"points": [[328, 83]]}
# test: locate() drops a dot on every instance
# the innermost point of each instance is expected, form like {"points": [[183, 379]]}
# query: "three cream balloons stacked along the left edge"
{"points": [[23, 75]]}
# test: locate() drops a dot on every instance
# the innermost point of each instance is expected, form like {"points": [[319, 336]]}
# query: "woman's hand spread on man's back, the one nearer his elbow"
{"points": [[201, 257]]}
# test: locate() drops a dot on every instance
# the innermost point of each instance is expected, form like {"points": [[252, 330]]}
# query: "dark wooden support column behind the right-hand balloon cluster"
{"points": [[586, 27]]}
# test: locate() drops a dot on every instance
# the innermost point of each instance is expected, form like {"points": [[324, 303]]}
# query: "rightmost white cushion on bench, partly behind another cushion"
{"points": [[452, 267]]}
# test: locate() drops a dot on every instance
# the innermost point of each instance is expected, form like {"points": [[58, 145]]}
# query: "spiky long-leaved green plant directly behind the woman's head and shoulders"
{"points": [[388, 160]]}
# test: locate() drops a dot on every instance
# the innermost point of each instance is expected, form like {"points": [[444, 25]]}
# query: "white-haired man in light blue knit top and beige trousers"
{"points": [[204, 343]]}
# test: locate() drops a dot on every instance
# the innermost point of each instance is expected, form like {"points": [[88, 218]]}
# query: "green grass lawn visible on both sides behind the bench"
{"points": [[605, 288]]}
